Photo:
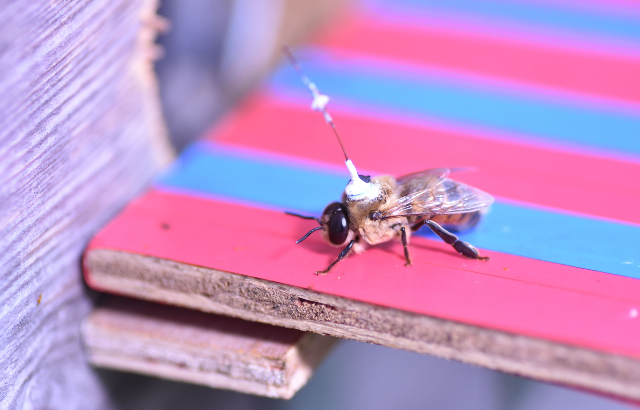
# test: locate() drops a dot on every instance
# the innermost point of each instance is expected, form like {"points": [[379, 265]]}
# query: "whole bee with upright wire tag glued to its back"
{"points": [[379, 209]]}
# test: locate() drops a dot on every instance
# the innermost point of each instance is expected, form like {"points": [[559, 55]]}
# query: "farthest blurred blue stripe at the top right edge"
{"points": [[609, 22]]}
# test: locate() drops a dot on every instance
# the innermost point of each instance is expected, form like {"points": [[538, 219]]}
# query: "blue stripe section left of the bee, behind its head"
{"points": [[257, 179]]}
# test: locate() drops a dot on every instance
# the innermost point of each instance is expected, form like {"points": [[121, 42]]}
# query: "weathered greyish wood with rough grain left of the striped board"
{"points": [[80, 134]]}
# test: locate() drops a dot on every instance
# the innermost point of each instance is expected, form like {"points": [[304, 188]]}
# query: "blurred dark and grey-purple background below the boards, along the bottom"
{"points": [[362, 376]]}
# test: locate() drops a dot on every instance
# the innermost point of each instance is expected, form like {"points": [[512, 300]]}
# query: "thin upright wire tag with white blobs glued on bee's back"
{"points": [[356, 188]]}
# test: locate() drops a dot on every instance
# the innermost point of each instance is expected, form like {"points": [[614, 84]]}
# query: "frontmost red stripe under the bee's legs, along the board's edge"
{"points": [[510, 293]]}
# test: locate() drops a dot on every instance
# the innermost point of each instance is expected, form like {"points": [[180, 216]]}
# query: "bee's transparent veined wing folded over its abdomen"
{"points": [[445, 197]]}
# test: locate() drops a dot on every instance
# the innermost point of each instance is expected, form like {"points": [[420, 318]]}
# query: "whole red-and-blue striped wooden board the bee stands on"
{"points": [[558, 301]]}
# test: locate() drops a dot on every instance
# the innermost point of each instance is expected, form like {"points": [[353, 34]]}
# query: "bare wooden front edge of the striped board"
{"points": [[259, 300]]}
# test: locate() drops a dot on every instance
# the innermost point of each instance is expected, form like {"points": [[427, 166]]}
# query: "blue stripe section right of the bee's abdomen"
{"points": [[561, 238]]}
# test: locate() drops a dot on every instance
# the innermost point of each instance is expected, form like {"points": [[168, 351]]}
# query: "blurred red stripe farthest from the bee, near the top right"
{"points": [[497, 56]]}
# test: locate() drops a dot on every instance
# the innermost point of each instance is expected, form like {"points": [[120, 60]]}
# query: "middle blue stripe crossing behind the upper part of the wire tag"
{"points": [[433, 96]]}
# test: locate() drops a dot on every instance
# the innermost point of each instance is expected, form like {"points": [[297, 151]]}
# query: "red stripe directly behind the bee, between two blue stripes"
{"points": [[587, 184]]}
